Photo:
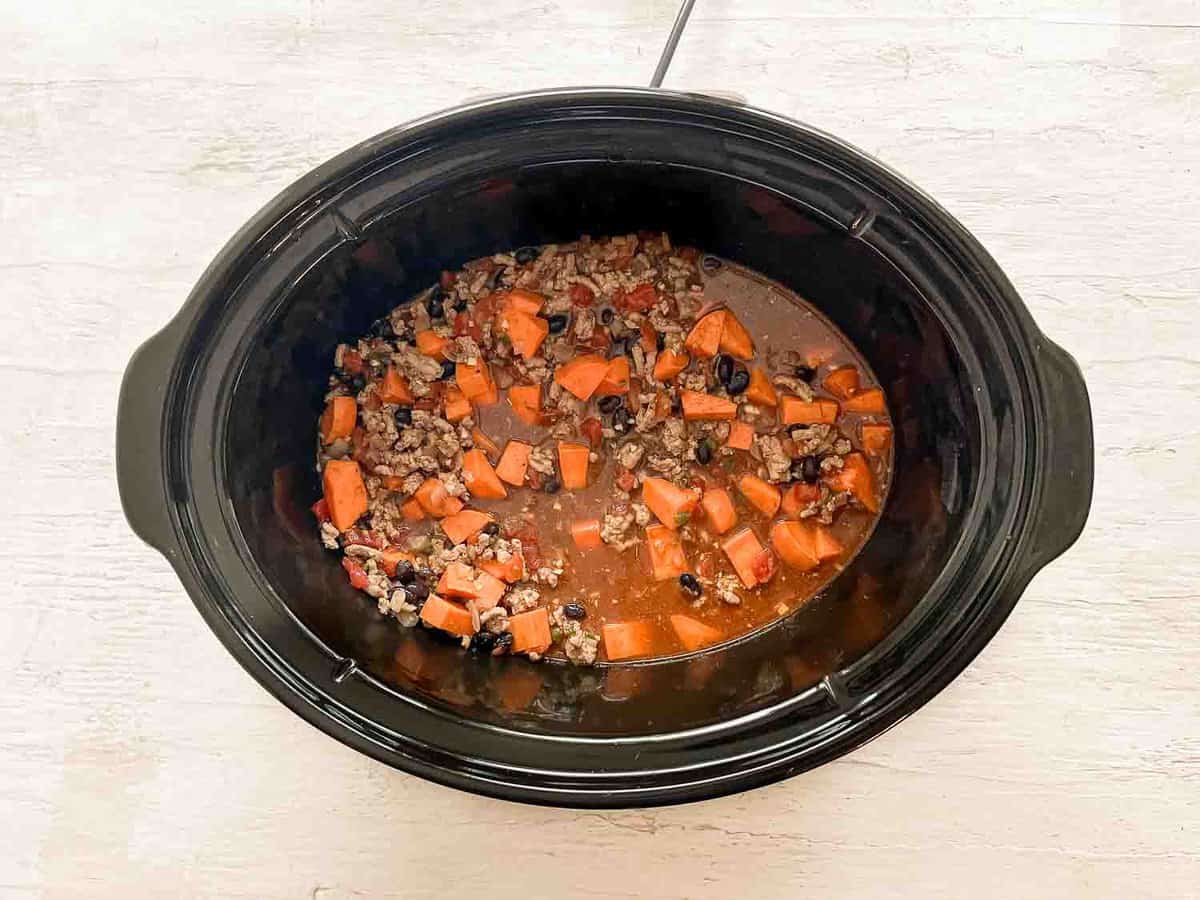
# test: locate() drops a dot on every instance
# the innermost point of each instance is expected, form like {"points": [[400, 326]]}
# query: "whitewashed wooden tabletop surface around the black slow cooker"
{"points": [[139, 760]]}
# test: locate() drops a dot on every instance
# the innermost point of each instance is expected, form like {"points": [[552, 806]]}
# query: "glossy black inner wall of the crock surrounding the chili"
{"points": [[934, 397]]}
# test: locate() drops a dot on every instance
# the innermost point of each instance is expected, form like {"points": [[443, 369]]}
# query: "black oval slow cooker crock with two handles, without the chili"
{"points": [[223, 482]]}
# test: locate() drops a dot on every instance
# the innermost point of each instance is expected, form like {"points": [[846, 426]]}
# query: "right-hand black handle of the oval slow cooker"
{"points": [[1067, 461]]}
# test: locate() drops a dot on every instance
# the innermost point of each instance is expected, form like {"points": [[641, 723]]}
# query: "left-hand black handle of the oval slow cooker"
{"points": [[141, 415]]}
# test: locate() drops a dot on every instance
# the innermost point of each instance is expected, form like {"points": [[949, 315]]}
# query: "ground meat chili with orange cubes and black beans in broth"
{"points": [[603, 449]]}
